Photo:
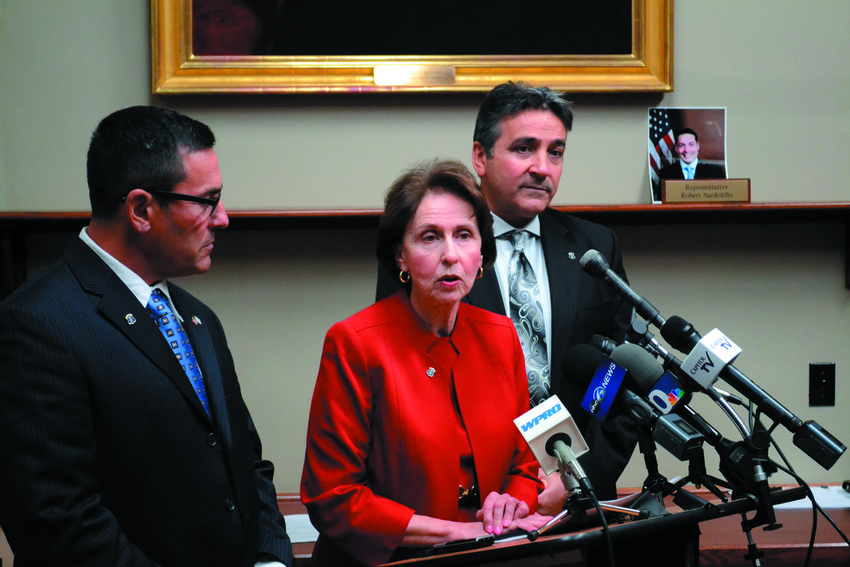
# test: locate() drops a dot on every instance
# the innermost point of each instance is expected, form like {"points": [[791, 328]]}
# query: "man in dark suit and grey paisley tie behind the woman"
{"points": [[518, 147]]}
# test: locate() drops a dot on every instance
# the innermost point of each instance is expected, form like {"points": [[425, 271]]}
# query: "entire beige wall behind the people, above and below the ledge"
{"points": [[780, 68]]}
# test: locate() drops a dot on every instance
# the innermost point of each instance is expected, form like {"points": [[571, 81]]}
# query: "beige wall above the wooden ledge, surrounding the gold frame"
{"points": [[780, 69]]}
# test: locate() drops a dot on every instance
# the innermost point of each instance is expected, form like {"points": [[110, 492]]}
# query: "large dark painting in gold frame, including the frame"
{"points": [[338, 46]]}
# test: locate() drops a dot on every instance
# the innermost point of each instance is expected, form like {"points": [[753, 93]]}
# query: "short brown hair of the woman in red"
{"points": [[406, 194]]}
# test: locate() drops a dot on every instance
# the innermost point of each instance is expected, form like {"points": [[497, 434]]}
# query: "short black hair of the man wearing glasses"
{"points": [[140, 147]]}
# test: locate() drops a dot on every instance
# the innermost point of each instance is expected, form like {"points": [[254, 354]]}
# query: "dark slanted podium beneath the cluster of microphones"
{"points": [[674, 538]]}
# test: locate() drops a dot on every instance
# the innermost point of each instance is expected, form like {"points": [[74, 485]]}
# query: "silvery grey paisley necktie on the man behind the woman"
{"points": [[527, 316]]}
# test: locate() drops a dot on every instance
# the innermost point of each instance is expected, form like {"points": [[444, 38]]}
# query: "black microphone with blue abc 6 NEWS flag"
{"points": [[604, 393]]}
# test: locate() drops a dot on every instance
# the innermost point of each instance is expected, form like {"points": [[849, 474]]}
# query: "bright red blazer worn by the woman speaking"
{"points": [[379, 440]]}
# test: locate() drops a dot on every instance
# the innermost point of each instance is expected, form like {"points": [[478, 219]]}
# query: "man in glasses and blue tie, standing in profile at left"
{"points": [[118, 446]]}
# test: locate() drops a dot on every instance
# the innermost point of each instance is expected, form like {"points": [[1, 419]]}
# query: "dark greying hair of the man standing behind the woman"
{"points": [[509, 99]]}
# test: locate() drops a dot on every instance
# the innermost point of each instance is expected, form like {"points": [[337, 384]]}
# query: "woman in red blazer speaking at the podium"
{"points": [[411, 440]]}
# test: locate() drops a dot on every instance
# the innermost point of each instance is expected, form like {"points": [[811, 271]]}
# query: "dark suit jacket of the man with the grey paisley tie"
{"points": [[582, 306]]}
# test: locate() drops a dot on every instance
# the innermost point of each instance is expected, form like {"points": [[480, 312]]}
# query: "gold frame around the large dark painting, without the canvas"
{"points": [[649, 68]]}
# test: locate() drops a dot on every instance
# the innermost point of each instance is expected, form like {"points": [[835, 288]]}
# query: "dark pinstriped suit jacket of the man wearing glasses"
{"points": [[108, 457]]}
